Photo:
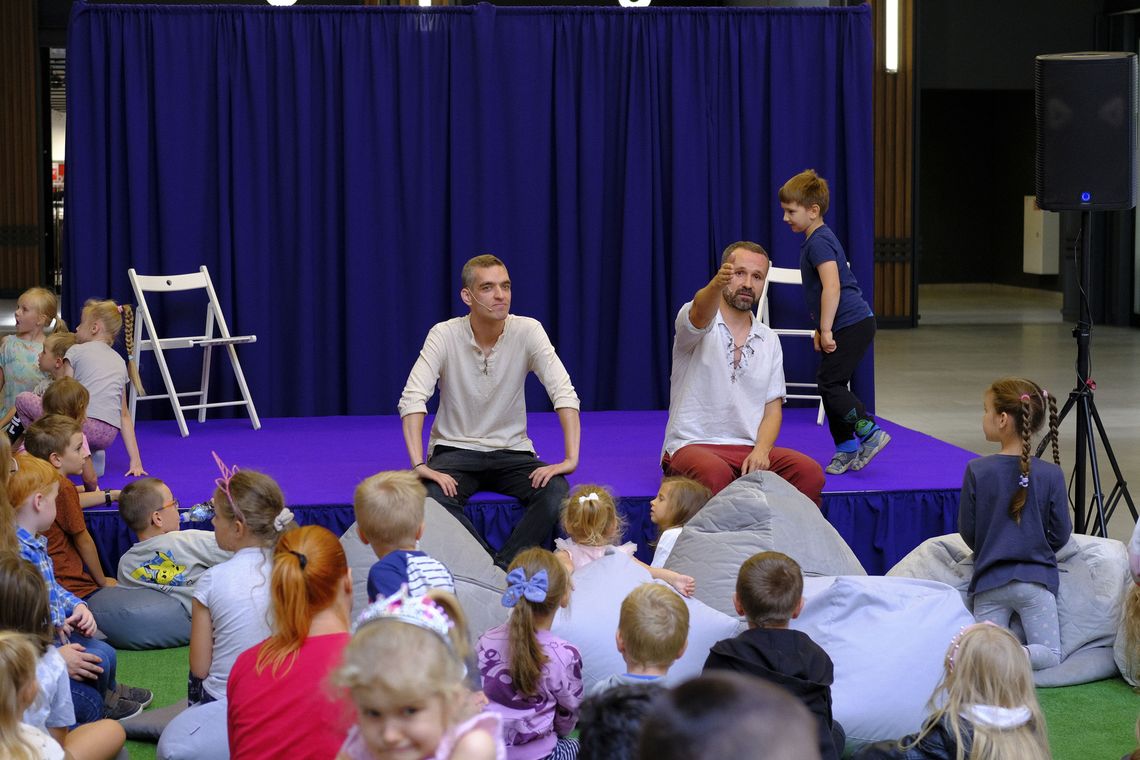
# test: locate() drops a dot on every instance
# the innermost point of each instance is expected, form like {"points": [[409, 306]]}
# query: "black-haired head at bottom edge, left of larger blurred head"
{"points": [[609, 723]]}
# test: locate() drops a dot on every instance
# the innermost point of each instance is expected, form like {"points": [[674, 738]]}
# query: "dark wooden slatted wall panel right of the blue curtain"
{"points": [[894, 173]]}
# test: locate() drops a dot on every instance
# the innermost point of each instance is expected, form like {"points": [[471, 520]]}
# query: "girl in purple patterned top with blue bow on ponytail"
{"points": [[532, 677]]}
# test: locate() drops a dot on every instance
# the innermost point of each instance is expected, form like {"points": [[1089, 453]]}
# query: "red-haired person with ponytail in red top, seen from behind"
{"points": [[278, 682]]}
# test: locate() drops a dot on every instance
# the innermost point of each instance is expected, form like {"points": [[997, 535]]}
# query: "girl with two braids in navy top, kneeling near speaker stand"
{"points": [[1014, 513]]}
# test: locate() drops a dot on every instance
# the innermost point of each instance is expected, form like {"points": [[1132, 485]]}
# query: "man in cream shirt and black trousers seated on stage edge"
{"points": [[479, 438]]}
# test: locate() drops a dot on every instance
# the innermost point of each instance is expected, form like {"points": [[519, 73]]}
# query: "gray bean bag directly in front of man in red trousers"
{"points": [[760, 512]]}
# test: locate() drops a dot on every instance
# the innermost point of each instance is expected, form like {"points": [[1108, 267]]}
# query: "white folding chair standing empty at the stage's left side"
{"points": [[207, 341]]}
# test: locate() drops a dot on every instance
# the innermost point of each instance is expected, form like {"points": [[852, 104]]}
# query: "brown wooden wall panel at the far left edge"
{"points": [[20, 182]]}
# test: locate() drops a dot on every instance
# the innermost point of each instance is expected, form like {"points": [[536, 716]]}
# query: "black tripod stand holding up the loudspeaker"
{"points": [[1088, 420]]}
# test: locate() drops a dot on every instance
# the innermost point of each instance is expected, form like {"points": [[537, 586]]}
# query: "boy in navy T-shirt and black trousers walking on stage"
{"points": [[844, 322]]}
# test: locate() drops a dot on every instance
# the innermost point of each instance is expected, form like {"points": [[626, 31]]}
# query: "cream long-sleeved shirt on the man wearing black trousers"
{"points": [[482, 402]]}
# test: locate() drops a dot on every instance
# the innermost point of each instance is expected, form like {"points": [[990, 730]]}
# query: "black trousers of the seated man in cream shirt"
{"points": [[508, 473]]}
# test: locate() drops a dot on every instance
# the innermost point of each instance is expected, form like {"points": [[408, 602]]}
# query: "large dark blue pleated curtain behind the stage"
{"points": [[336, 167]]}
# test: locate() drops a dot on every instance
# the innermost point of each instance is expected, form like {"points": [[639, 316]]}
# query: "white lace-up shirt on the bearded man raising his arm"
{"points": [[706, 404]]}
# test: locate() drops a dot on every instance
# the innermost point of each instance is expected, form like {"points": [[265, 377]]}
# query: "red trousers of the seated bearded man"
{"points": [[716, 467]]}
